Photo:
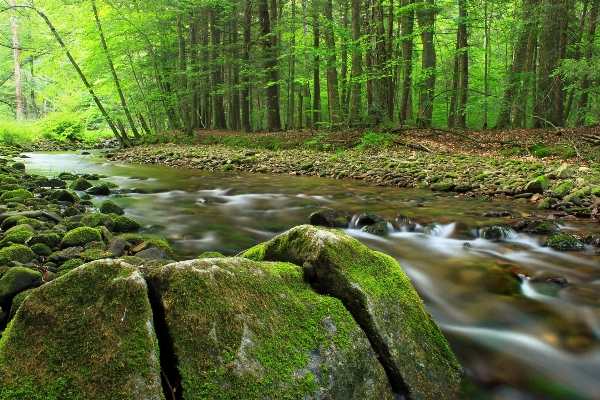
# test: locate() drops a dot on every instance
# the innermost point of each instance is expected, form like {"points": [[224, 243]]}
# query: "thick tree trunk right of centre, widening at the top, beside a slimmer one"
{"points": [[426, 20]]}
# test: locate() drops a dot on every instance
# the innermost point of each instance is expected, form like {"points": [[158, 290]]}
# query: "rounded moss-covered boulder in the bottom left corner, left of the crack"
{"points": [[96, 344]]}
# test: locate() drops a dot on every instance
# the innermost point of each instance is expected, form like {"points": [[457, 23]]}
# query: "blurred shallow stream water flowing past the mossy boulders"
{"points": [[517, 335]]}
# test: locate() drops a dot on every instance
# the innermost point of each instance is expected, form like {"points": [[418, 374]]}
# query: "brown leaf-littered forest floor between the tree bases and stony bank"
{"points": [[569, 144]]}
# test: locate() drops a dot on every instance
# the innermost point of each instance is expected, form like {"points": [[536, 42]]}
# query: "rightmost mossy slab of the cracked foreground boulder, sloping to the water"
{"points": [[373, 287]]}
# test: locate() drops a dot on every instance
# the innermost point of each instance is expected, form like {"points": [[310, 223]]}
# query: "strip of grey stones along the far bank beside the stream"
{"points": [[566, 189]]}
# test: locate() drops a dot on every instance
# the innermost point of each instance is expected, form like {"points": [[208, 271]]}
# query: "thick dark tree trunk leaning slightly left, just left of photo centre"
{"points": [[271, 65]]}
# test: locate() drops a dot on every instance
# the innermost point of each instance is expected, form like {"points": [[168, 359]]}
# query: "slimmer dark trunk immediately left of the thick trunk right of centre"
{"points": [[407, 23]]}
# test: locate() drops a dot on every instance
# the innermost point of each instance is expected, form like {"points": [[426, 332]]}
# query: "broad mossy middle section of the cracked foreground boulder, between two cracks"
{"points": [[247, 330]]}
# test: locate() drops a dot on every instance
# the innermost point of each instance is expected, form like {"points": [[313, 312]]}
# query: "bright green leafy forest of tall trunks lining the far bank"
{"points": [[68, 66]]}
